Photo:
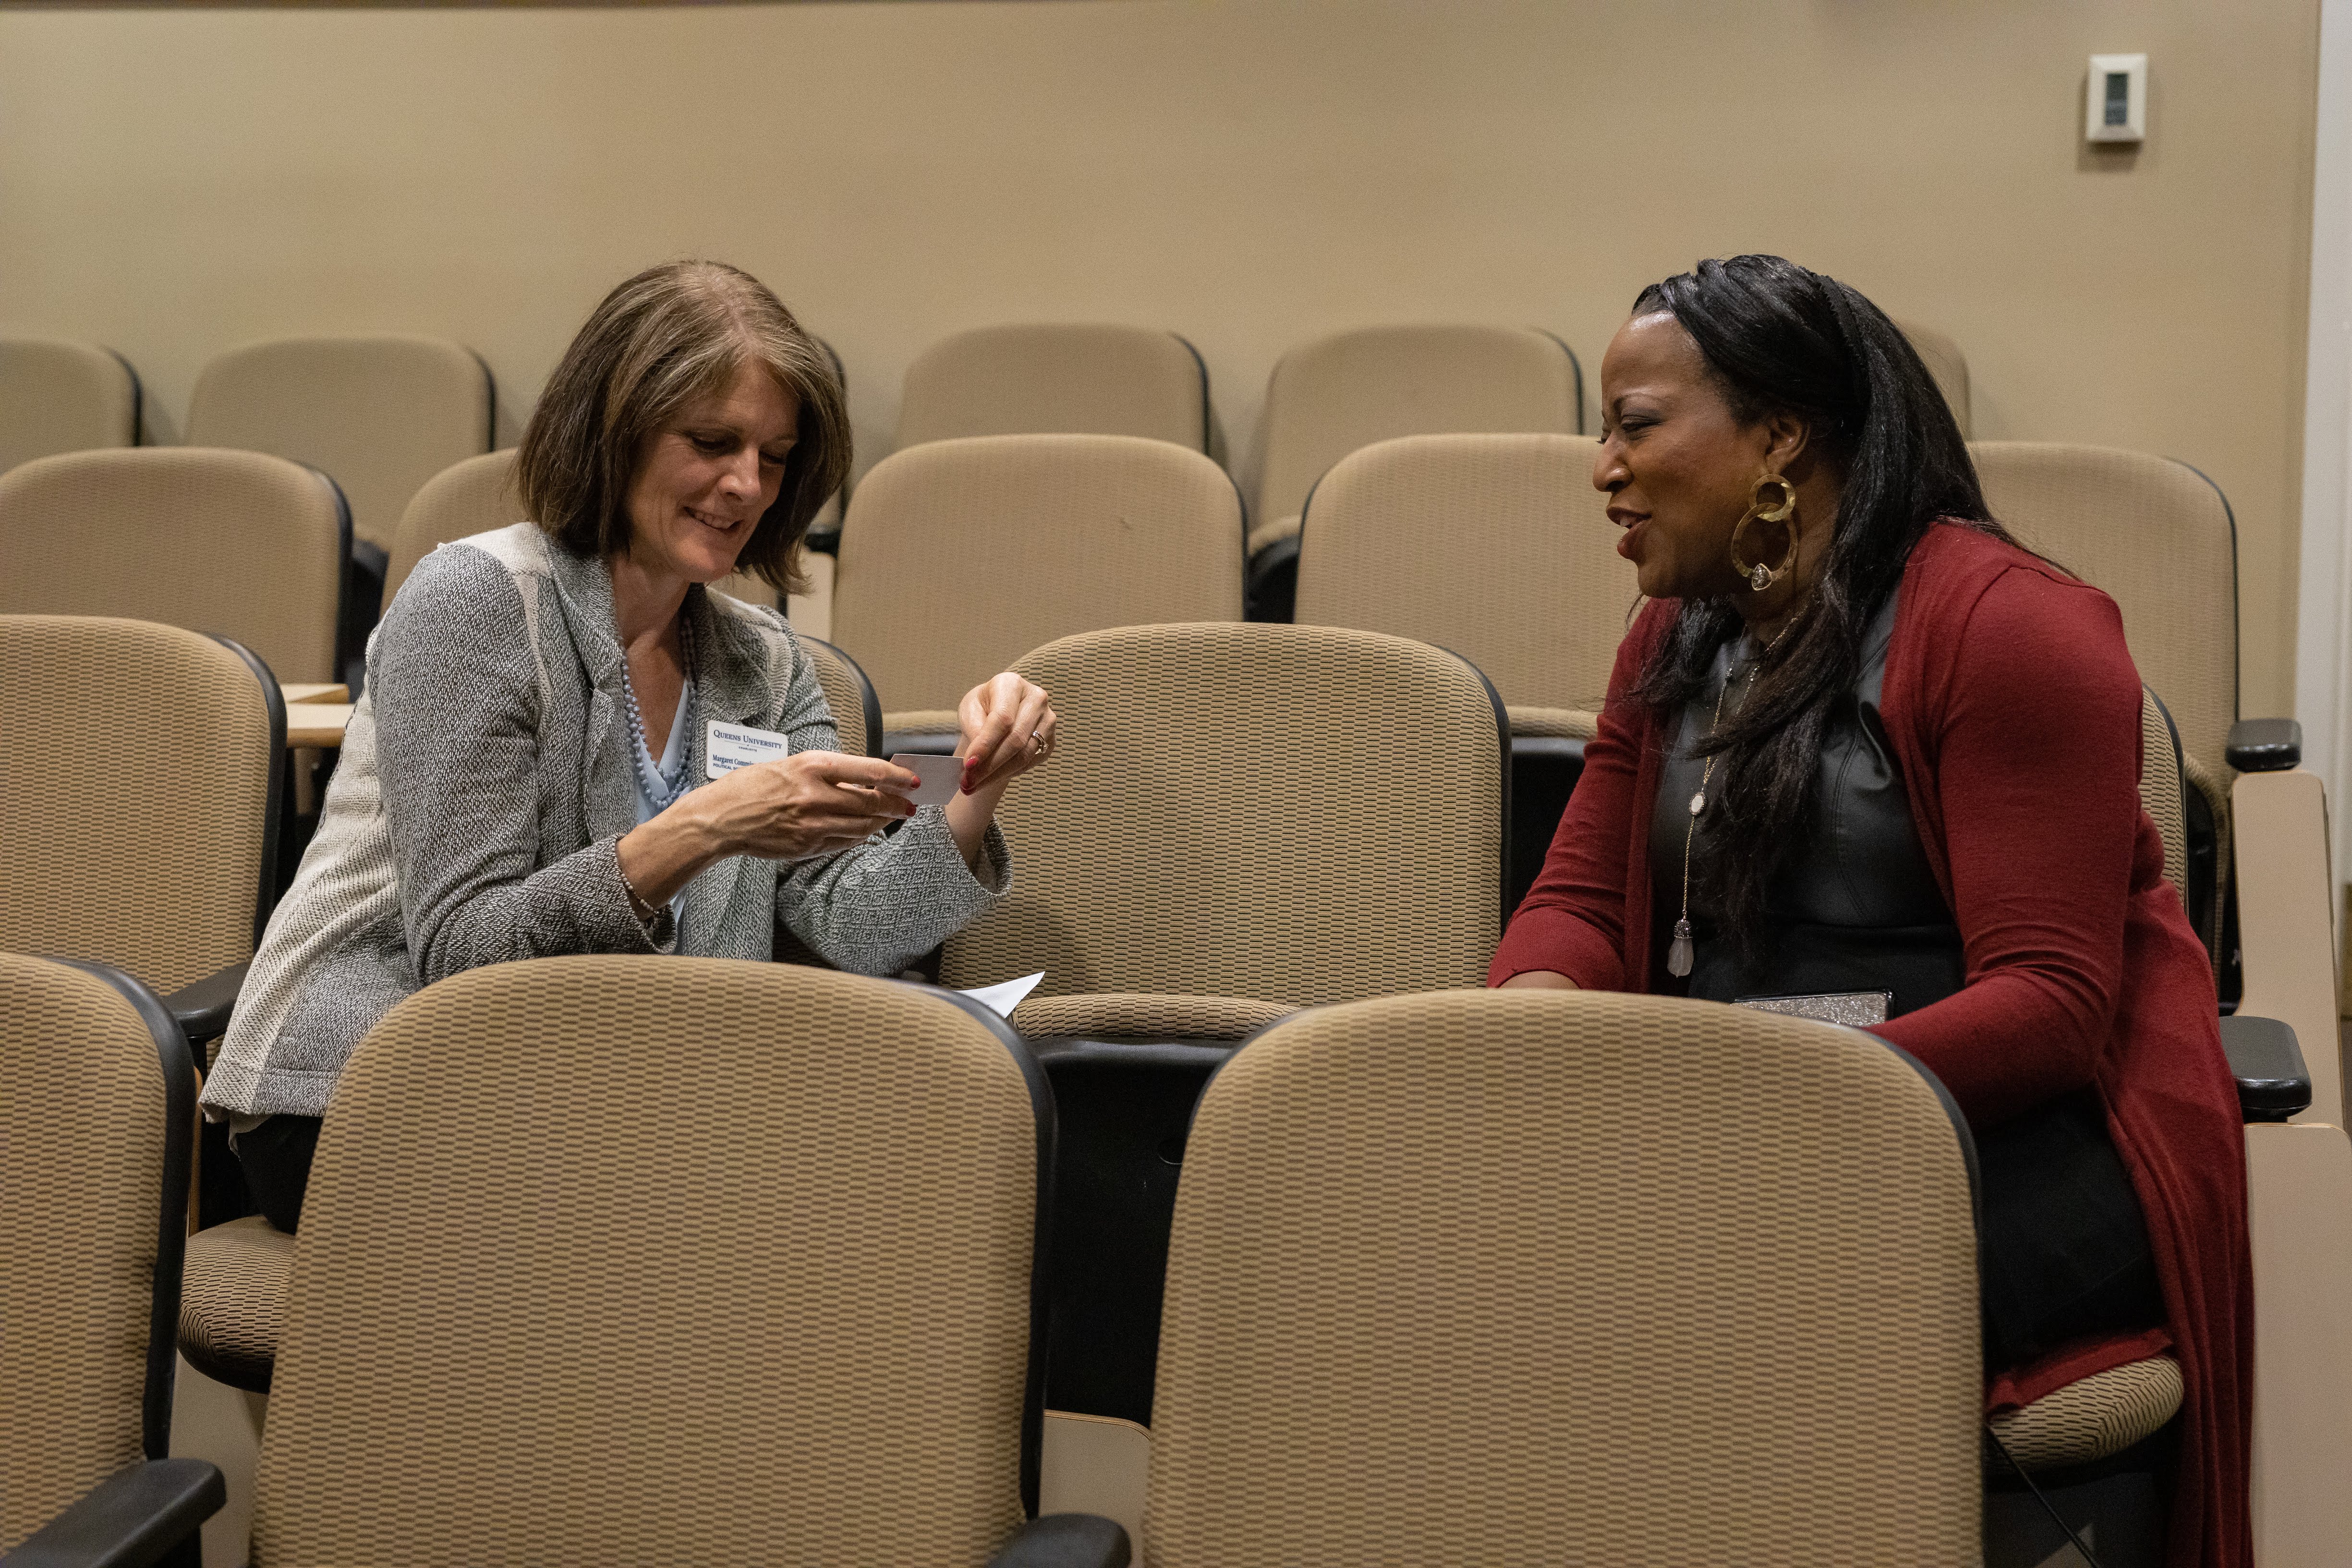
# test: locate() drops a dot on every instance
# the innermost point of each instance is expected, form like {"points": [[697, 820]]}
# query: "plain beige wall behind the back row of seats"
{"points": [[1248, 173]]}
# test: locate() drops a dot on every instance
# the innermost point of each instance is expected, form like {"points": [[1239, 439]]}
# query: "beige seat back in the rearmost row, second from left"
{"points": [[377, 413]]}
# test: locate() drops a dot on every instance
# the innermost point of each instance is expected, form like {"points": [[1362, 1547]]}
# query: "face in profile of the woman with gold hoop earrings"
{"points": [[1678, 464]]}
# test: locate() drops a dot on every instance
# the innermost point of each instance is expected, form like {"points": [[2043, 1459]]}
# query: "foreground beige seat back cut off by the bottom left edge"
{"points": [[88, 1186]]}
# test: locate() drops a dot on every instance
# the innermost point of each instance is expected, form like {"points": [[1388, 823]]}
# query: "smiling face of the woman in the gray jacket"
{"points": [[709, 476]]}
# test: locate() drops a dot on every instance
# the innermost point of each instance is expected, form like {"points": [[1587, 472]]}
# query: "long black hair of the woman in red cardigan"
{"points": [[1782, 340]]}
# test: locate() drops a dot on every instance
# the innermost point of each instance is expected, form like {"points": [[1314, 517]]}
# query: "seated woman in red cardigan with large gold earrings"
{"points": [[1864, 746]]}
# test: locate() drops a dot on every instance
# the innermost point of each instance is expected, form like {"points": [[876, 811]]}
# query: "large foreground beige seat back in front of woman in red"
{"points": [[1530, 1278]]}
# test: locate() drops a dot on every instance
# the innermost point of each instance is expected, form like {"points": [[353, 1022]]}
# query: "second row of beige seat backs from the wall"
{"points": [[961, 554]]}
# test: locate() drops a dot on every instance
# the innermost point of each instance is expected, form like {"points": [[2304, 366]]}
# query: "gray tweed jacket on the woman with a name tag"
{"points": [[483, 786]]}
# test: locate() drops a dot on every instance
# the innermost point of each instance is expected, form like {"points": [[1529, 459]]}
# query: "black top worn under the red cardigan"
{"points": [[1859, 911]]}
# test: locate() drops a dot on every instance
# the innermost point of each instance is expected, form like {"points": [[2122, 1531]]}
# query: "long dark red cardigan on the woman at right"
{"points": [[2014, 713]]}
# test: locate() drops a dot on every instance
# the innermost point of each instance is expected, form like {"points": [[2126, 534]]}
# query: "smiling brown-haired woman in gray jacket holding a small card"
{"points": [[526, 772]]}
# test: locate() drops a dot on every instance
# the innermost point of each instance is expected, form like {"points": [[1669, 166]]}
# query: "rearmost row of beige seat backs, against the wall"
{"points": [[387, 413]]}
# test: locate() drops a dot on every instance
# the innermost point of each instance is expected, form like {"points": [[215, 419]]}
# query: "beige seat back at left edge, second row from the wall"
{"points": [[236, 544]]}
